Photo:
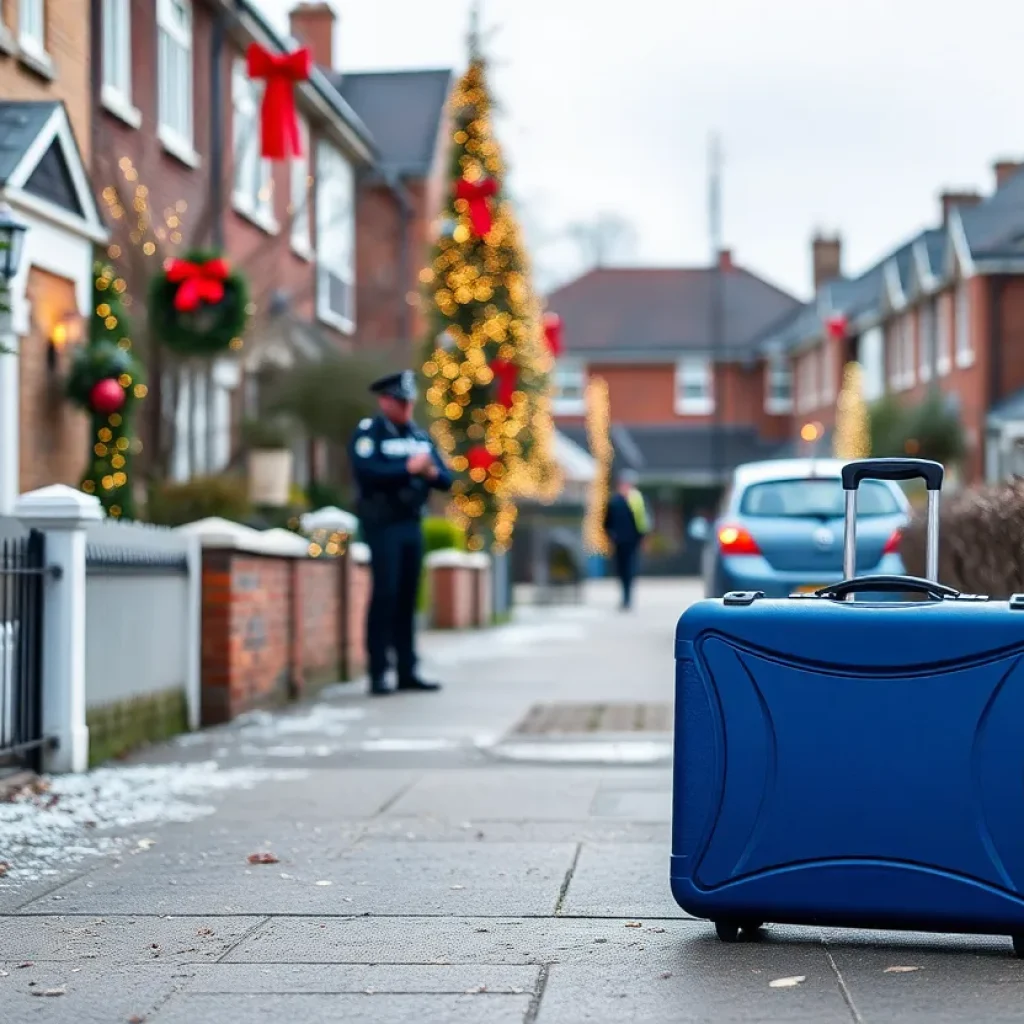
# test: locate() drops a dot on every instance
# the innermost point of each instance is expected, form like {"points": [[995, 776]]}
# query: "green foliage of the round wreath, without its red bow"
{"points": [[211, 327]]}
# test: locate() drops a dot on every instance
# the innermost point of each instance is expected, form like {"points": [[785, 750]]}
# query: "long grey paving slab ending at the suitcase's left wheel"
{"points": [[510, 941]]}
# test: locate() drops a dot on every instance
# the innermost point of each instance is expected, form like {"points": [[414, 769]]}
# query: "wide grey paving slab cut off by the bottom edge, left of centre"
{"points": [[363, 1009]]}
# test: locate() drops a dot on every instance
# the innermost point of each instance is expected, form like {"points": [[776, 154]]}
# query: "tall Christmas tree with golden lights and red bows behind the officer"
{"points": [[487, 359]]}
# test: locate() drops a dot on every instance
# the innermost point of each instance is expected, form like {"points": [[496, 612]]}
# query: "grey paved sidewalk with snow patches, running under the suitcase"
{"points": [[423, 864]]}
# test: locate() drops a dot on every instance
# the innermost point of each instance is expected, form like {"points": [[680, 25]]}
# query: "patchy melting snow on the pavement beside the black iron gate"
{"points": [[69, 819]]}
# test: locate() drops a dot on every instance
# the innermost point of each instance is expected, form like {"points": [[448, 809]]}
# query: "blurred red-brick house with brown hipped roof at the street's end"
{"points": [[685, 407]]}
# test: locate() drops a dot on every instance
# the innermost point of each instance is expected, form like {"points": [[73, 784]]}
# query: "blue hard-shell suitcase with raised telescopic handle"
{"points": [[852, 763]]}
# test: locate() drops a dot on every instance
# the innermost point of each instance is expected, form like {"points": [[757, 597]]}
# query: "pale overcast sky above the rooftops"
{"points": [[844, 116]]}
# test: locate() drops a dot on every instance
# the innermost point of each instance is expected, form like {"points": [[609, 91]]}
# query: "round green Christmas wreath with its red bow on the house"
{"points": [[198, 305]]}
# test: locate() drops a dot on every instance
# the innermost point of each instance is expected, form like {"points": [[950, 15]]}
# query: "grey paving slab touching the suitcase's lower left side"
{"points": [[621, 880]]}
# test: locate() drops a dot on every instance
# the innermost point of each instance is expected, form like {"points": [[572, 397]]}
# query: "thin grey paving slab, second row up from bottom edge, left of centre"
{"points": [[361, 978]]}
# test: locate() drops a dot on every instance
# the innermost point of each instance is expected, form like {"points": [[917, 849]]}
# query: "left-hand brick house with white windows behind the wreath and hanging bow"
{"points": [[177, 113]]}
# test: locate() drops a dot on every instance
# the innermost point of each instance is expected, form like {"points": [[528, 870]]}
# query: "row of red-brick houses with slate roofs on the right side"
{"points": [[944, 310]]}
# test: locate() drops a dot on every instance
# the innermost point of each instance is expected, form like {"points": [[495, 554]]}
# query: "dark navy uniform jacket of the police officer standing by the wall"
{"points": [[389, 494]]}
